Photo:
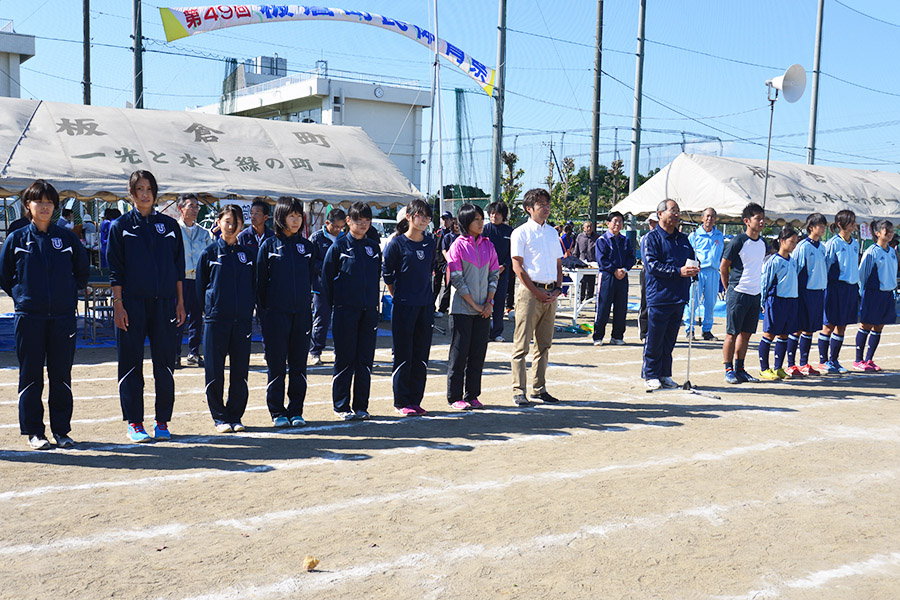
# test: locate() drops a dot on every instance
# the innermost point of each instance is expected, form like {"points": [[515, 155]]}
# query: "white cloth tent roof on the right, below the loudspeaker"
{"points": [[795, 190]]}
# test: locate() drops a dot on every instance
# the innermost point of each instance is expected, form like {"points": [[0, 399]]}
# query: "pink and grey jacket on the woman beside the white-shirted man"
{"points": [[473, 270]]}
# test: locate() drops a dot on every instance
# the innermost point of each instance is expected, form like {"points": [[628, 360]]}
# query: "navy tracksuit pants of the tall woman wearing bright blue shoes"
{"points": [[153, 318]]}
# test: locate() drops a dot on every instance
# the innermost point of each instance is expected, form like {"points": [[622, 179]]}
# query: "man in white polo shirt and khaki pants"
{"points": [[537, 262]]}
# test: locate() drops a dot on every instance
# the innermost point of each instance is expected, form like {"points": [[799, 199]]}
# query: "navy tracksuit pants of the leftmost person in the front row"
{"points": [[54, 340]]}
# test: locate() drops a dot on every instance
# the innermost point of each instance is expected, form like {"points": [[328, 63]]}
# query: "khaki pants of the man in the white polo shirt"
{"points": [[533, 319]]}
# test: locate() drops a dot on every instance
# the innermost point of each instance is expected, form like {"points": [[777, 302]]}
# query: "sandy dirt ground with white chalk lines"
{"points": [[772, 490]]}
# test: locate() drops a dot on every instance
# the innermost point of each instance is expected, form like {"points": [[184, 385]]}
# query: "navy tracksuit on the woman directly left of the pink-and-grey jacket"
{"points": [[407, 266]]}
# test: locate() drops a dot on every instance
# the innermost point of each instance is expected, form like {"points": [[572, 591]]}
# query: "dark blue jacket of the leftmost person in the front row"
{"points": [[43, 272]]}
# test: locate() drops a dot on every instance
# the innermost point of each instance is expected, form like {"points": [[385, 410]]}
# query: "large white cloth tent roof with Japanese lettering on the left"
{"points": [[90, 151]]}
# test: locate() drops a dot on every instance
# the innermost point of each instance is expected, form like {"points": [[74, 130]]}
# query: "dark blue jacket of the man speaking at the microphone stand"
{"points": [[664, 255]]}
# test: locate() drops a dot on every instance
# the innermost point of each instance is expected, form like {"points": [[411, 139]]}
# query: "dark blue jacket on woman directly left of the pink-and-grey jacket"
{"points": [[407, 266]]}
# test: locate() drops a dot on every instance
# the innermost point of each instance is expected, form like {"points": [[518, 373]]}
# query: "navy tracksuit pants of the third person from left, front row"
{"points": [[231, 339]]}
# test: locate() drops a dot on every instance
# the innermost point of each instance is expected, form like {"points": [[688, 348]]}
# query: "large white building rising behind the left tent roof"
{"points": [[388, 110]]}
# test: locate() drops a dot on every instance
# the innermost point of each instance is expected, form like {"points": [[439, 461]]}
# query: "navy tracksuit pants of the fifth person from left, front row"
{"points": [[355, 332]]}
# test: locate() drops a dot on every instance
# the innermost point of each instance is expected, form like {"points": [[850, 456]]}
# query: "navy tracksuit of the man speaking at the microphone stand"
{"points": [[667, 294]]}
